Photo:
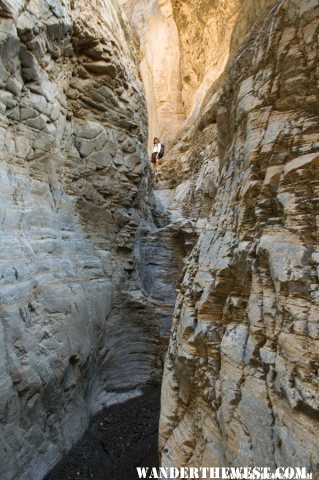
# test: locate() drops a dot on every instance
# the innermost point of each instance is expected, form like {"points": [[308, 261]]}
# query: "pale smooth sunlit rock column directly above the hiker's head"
{"points": [[157, 38]]}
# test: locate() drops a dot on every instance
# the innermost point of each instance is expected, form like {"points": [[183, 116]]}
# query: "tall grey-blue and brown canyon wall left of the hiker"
{"points": [[74, 203]]}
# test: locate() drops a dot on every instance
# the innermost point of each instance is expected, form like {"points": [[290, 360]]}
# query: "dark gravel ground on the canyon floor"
{"points": [[119, 439]]}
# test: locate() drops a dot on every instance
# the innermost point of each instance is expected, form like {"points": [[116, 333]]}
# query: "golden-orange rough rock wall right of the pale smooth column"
{"points": [[210, 33]]}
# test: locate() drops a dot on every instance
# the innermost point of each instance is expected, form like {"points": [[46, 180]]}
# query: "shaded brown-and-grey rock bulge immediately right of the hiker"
{"points": [[189, 177]]}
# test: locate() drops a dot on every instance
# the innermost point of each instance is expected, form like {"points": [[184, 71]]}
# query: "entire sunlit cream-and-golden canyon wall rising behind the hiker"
{"points": [[183, 49]]}
